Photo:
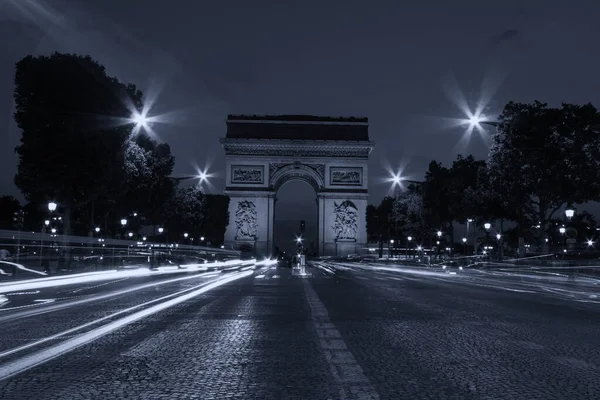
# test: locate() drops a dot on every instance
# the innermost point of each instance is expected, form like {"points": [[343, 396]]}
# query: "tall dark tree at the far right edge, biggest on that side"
{"points": [[546, 158]]}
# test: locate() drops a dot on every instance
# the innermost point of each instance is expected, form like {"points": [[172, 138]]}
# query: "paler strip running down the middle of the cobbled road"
{"points": [[345, 369]]}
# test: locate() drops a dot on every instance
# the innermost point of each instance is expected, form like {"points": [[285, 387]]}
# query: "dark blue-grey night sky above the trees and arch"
{"points": [[402, 65]]}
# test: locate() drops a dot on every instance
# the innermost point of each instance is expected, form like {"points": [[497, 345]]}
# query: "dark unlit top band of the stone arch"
{"points": [[297, 127]]}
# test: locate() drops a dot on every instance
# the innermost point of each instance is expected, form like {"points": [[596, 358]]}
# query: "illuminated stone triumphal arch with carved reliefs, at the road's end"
{"points": [[331, 154]]}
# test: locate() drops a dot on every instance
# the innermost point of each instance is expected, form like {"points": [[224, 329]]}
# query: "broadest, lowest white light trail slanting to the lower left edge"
{"points": [[35, 359]]}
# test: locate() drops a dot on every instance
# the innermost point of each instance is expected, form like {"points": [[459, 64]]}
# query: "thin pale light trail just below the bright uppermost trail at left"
{"points": [[61, 306]]}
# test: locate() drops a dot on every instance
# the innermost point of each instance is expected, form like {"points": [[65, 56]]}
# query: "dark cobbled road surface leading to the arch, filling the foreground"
{"points": [[342, 333]]}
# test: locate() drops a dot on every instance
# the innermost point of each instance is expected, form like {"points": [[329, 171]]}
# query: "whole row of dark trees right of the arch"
{"points": [[542, 160]]}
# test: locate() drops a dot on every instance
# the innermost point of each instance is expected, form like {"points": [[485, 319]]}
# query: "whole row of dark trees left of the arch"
{"points": [[81, 148]]}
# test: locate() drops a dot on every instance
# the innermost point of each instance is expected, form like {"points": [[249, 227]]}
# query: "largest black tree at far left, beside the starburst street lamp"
{"points": [[73, 138]]}
